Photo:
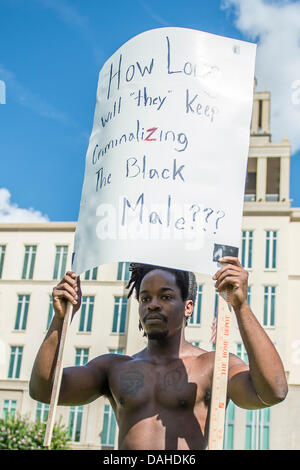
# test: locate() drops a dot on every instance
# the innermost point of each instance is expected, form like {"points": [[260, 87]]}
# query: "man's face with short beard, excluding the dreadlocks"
{"points": [[161, 308]]}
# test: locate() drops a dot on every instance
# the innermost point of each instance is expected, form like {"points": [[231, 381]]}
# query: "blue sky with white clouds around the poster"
{"points": [[51, 52]]}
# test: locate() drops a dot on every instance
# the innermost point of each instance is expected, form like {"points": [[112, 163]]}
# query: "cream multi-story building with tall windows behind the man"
{"points": [[34, 257]]}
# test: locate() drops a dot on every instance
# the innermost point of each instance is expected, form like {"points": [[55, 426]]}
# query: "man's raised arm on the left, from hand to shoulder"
{"points": [[79, 385]]}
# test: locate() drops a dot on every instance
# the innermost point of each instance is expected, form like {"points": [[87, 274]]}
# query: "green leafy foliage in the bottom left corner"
{"points": [[17, 433]]}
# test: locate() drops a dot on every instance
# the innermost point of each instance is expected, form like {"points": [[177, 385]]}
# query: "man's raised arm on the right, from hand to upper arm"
{"points": [[263, 383]]}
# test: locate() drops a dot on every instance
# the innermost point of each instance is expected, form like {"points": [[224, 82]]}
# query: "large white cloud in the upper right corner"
{"points": [[275, 26]]}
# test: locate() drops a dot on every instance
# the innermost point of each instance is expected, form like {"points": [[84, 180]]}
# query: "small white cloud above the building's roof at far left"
{"points": [[11, 213]]}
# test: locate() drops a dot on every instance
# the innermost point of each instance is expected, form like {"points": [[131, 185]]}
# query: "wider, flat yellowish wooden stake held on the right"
{"points": [[220, 374]]}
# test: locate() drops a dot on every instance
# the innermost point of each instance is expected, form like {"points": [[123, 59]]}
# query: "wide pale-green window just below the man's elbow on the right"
{"points": [[257, 429]]}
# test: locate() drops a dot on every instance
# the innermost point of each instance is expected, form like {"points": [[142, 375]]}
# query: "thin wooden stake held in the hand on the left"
{"points": [[57, 376]]}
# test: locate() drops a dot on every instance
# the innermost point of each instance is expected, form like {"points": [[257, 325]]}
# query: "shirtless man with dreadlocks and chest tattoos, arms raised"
{"points": [[161, 395]]}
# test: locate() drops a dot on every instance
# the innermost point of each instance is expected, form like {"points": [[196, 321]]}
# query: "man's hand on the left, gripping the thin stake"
{"points": [[67, 290]]}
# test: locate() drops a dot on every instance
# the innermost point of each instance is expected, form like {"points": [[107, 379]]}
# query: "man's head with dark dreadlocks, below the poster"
{"points": [[166, 297]]}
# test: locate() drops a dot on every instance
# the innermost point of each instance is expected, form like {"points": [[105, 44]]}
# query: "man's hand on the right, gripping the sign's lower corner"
{"points": [[234, 277]]}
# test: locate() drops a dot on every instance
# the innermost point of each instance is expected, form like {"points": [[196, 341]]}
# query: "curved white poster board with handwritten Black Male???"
{"points": [[166, 162]]}
